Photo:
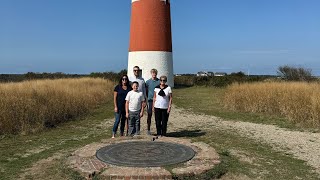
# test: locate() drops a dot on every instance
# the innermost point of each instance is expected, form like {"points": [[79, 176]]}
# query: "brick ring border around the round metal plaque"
{"points": [[85, 162]]}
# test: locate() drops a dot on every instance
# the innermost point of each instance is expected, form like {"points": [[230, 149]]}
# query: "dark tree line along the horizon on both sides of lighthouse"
{"points": [[286, 72]]}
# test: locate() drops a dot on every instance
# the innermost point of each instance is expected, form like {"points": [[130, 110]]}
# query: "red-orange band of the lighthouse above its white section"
{"points": [[150, 26]]}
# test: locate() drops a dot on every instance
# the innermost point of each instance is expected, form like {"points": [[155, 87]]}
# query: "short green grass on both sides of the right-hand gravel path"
{"points": [[243, 158]]}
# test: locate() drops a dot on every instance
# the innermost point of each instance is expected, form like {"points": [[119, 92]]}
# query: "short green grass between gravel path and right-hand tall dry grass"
{"points": [[210, 101]]}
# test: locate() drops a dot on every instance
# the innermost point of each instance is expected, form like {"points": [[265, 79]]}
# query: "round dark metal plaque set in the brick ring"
{"points": [[145, 154]]}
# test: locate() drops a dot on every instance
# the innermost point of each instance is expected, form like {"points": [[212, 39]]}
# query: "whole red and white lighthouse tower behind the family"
{"points": [[150, 43]]}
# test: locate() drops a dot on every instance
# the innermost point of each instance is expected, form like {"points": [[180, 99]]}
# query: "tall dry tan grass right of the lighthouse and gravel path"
{"points": [[298, 101]]}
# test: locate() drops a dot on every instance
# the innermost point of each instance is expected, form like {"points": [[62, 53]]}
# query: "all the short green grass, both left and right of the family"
{"points": [[242, 158]]}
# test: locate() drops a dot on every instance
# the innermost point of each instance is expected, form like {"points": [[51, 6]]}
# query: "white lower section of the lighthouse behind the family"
{"points": [[147, 60]]}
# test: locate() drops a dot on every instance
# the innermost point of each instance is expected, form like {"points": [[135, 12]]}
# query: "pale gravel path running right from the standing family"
{"points": [[303, 145]]}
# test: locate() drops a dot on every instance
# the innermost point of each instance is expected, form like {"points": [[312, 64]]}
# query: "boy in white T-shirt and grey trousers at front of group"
{"points": [[134, 108]]}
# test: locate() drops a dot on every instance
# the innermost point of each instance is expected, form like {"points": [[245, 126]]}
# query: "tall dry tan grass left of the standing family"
{"points": [[31, 105]]}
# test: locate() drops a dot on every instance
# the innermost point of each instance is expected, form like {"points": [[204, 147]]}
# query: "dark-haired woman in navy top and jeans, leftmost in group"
{"points": [[120, 93]]}
